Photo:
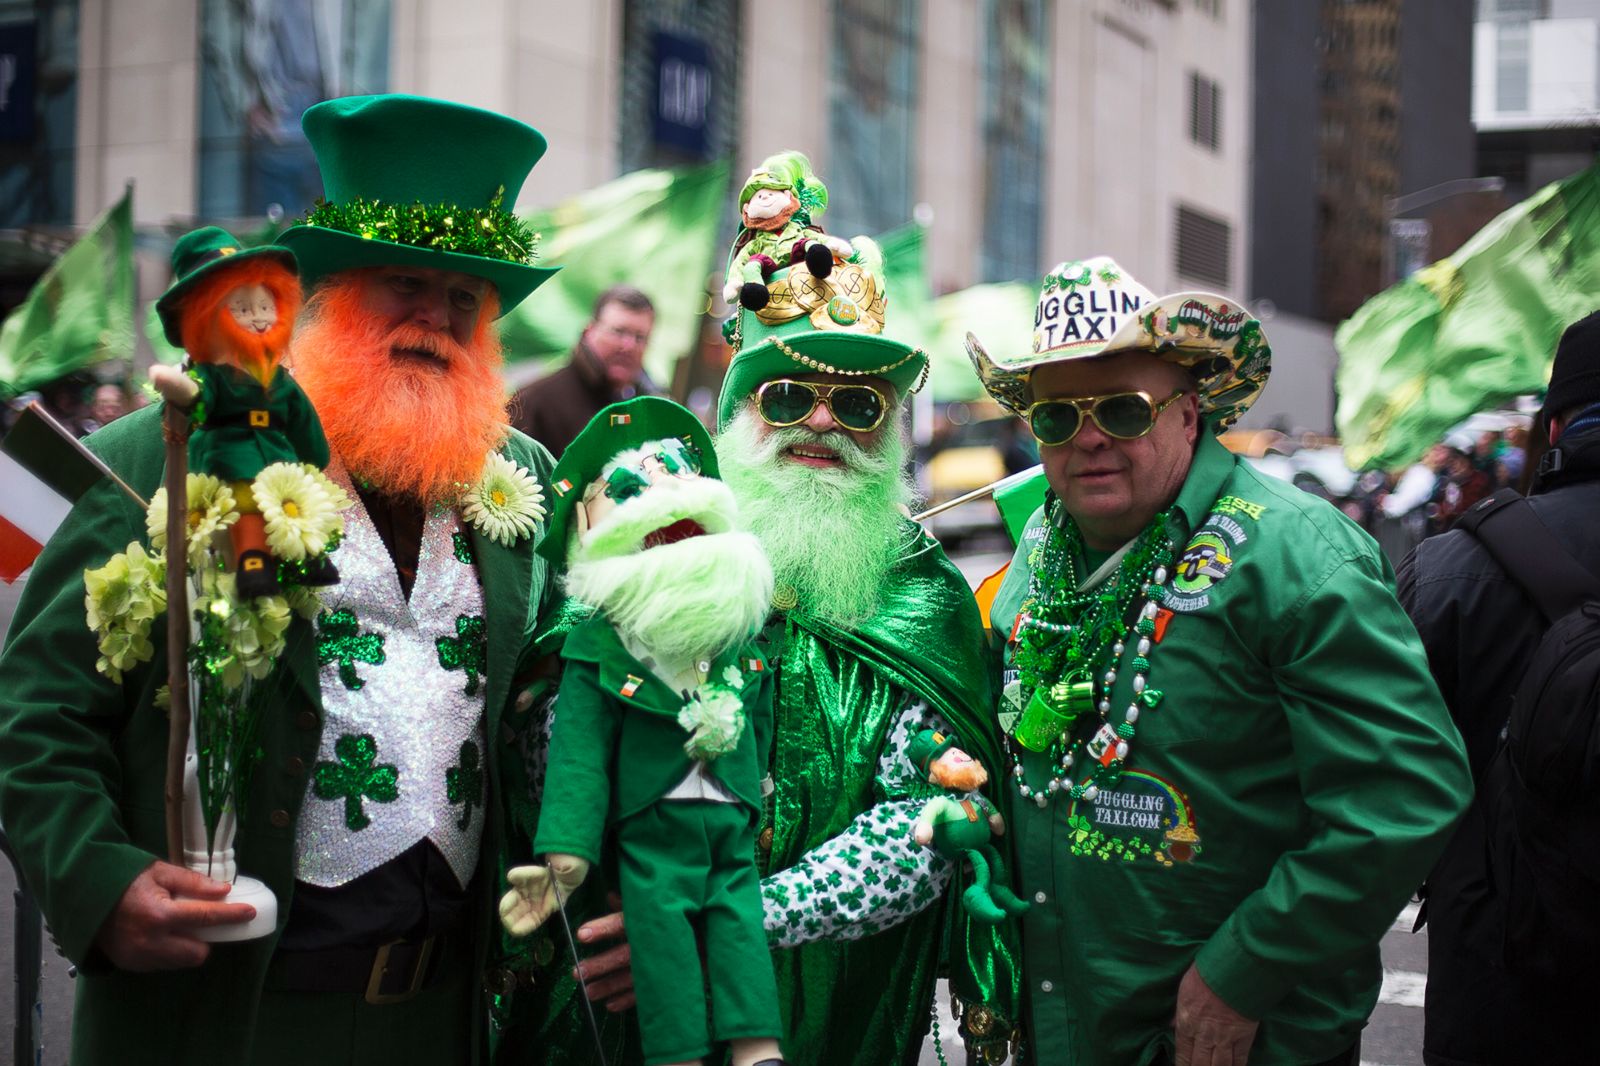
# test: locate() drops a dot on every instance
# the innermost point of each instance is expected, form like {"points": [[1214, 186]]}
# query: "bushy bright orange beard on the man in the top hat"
{"points": [[407, 428]]}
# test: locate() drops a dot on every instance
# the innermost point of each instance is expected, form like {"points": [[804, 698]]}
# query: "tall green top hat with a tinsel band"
{"points": [[415, 182]]}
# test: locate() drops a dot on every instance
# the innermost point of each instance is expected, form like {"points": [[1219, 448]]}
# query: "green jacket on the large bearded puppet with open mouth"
{"points": [[618, 748]]}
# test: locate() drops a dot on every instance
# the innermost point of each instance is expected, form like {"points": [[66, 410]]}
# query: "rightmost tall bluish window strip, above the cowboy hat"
{"points": [[1017, 70]]}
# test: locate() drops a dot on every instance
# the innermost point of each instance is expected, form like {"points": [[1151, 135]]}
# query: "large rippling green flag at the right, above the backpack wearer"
{"points": [[1473, 331]]}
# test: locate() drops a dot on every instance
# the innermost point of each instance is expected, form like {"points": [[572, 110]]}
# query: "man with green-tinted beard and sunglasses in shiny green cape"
{"points": [[873, 638]]}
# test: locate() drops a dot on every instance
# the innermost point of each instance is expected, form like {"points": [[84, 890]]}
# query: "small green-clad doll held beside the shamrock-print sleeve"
{"points": [[962, 824]]}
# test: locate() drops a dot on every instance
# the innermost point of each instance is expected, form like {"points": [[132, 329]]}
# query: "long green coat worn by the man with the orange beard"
{"points": [[84, 761]]}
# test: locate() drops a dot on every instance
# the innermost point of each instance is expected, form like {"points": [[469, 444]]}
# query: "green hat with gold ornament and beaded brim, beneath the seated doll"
{"points": [[818, 326]]}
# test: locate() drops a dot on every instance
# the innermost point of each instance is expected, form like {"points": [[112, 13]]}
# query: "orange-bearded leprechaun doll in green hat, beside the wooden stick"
{"points": [[233, 311]]}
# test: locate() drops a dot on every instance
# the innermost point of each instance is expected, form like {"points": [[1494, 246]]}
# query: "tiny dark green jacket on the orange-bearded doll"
{"points": [[231, 446]]}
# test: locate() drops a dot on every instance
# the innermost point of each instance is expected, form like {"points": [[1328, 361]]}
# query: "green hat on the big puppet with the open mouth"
{"points": [[617, 428]]}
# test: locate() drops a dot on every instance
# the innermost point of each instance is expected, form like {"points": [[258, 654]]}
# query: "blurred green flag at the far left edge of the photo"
{"points": [[81, 313]]}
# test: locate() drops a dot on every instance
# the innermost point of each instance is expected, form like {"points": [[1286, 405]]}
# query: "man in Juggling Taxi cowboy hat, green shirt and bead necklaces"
{"points": [[1231, 764]]}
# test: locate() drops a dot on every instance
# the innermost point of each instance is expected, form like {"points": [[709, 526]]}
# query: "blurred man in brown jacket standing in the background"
{"points": [[607, 366]]}
